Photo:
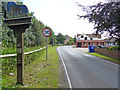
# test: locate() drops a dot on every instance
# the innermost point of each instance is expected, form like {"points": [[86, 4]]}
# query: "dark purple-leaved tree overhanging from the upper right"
{"points": [[106, 18]]}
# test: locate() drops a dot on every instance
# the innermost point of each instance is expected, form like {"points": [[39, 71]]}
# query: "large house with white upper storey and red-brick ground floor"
{"points": [[84, 40]]}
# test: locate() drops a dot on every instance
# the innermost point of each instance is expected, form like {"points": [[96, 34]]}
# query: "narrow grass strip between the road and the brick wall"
{"points": [[106, 58]]}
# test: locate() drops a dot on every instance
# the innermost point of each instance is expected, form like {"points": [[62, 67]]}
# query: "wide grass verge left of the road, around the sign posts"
{"points": [[40, 73]]}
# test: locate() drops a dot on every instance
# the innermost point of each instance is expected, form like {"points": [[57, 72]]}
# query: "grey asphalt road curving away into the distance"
{"points": [[86, 71]]}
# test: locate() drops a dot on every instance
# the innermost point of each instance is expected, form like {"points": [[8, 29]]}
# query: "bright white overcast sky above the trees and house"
{"points": [[61, 15]]}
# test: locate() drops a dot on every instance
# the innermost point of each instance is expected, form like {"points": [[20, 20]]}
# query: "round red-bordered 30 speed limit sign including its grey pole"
{"points": [[46, 33]]}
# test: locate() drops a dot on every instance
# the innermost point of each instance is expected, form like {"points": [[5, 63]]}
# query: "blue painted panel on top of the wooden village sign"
{"points": [[16, 11]]}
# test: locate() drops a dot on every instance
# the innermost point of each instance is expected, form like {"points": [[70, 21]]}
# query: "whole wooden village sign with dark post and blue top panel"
{"points": [[18, 25]]}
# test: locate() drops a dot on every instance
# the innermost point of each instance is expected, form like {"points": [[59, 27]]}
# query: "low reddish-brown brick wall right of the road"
{"points": [[111, 53]]}
